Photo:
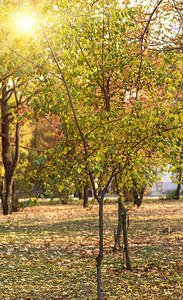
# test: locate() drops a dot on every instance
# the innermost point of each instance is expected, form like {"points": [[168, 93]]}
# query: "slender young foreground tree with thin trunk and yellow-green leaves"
{"points": [[96, 155]]}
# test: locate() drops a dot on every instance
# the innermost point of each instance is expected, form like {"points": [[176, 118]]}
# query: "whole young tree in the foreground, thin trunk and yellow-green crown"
{"points": [[105, 130]]}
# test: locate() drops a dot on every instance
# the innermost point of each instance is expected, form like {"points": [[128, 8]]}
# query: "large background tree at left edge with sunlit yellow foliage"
{"points": [[17, 85]]}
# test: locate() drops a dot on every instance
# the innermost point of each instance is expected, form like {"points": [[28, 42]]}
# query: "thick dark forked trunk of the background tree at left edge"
{"points": [[10, 164]]}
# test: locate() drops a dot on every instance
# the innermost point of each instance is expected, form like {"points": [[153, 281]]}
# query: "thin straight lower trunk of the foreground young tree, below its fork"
{"points": [[101, 248]]}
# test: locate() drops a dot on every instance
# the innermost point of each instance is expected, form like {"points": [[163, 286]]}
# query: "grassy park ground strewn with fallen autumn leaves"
{"points": [[49, 252]]}
